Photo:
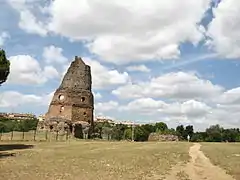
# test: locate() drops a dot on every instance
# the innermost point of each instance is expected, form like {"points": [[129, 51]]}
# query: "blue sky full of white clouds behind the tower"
{"points": [[171, 61]]}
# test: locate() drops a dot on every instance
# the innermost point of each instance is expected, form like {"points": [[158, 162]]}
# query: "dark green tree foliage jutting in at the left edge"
{"points": [[4, 67]]}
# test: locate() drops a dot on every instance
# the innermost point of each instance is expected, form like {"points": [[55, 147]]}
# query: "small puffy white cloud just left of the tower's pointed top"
{"points": [[53, 54]]}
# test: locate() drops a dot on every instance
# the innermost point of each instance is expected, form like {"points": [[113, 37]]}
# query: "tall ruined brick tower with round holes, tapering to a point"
{"points": [[72, 102]]}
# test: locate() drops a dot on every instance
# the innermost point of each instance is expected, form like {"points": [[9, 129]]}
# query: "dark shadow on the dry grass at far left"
{"points": [[9, 147]]}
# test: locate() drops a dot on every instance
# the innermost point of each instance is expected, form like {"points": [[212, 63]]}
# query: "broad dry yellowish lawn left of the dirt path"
{"points": [[86, 160]]}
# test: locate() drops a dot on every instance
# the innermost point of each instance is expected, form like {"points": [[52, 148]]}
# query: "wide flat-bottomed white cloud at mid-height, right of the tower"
{"points": [[179, 85]]}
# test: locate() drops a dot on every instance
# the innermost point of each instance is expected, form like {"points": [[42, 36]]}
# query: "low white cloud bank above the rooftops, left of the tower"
{"points": [[6, 99]]}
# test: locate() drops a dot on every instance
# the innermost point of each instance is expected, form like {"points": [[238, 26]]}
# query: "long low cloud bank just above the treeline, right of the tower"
{"points": [[197, 113]]}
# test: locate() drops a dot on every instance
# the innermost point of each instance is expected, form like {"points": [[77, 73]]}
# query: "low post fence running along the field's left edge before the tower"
{"points": [[42, 135]]}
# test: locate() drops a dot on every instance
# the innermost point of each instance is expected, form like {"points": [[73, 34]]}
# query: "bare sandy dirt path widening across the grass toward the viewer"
{"points": [[198, 168]]}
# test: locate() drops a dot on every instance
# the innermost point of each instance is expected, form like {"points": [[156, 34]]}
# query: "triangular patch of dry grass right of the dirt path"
{"points": [[225, 155]]}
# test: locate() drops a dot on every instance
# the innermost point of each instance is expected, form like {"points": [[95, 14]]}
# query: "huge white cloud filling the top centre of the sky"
{"points": [[123, 30]]}
